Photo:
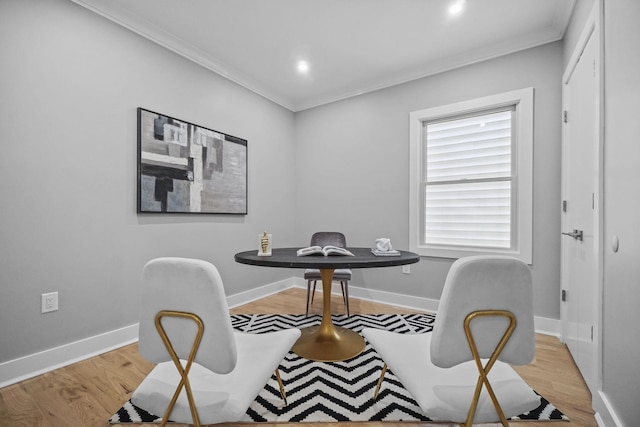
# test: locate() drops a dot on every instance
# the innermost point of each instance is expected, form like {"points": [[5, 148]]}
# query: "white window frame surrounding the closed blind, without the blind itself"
{"points": [[522, 178]]}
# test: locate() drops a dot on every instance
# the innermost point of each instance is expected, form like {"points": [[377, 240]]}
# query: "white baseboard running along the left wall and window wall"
{"points": [[29, 366]]}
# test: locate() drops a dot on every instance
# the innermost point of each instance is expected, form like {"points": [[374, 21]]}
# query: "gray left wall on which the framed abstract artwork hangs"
{"points": [[70, 84]]}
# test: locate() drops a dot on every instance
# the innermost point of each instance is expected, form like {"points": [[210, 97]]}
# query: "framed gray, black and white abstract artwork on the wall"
{"points": [[186, 168]]}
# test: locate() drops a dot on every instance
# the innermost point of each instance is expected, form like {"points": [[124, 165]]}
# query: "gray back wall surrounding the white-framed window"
{"points": [[359, 150]]}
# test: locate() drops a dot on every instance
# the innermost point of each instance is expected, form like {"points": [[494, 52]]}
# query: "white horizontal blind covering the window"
{"points": [[467, 181]]}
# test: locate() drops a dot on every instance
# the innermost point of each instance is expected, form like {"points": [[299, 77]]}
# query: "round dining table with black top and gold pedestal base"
{"points": [[327, 342]]}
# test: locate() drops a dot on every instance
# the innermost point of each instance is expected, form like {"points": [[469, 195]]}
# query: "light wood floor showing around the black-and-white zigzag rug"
{"points": [[89, 392]]}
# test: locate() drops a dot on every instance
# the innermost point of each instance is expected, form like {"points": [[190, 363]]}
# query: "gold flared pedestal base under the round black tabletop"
{"points": [[327, 342]]}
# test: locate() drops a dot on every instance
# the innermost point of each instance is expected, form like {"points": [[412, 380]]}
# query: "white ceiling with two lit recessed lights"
{"points": [[352, 46]]}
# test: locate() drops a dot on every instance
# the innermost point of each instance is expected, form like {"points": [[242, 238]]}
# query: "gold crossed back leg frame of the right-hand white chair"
{"points": [[483, 371]]}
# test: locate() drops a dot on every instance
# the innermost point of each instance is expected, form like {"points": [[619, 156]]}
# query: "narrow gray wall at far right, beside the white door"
{"points": [[621, 346]]}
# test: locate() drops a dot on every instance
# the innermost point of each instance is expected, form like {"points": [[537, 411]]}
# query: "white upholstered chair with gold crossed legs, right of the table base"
{"points": [[460, 372]]}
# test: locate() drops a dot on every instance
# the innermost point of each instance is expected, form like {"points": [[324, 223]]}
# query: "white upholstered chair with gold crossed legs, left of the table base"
{"points": [[206, 372]]}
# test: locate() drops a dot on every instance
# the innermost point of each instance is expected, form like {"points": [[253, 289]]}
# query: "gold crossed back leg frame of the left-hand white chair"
{"points": [[183, 371]]}
